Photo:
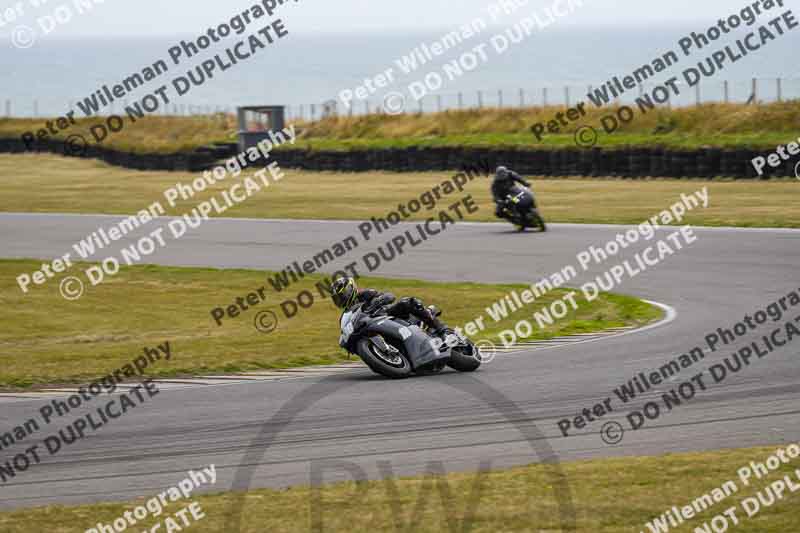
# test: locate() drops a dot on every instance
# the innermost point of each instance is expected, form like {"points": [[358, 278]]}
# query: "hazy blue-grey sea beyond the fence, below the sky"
{"points": [[555, 66]]}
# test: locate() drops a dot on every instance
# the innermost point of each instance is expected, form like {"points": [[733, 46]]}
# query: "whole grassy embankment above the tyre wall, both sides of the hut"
{"points": [[719, 125]]}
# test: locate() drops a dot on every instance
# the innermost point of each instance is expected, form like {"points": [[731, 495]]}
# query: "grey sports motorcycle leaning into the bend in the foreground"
{"points": [[397, 348]]}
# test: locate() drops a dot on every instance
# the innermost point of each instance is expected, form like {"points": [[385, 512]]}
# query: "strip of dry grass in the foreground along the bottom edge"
{"points": [[609, 496]]}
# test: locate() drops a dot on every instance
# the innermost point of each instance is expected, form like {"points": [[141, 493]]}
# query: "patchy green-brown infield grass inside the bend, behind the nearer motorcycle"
{"points": [[46, 339]]}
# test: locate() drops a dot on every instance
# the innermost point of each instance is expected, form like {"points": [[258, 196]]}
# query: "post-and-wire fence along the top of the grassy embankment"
{"points": [[757, 90]]}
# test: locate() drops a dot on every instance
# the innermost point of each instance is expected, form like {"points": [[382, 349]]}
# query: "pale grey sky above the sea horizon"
{"points": [[160, 17]]}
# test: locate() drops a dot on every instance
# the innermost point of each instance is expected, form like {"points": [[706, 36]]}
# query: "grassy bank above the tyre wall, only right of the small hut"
{"points": [[717, 125]]}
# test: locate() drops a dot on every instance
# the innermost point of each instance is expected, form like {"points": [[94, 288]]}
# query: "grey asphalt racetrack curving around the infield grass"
{"points": [[505, 414]]}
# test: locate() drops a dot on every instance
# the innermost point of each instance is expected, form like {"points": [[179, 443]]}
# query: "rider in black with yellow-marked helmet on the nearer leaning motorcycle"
{"points": [[345, 295]]}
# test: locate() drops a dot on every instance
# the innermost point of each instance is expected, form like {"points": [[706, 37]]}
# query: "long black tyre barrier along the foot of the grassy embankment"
{"points": [[593, 162]]}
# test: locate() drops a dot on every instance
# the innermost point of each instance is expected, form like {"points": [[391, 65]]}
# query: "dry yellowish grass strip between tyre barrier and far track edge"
{"points": [[46, 183]]}
